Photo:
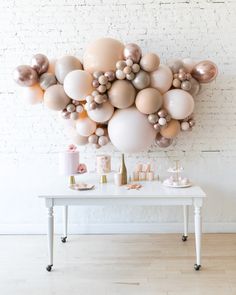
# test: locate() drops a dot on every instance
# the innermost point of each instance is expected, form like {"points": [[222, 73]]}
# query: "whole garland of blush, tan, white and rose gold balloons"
{"points": [[118, 93]]}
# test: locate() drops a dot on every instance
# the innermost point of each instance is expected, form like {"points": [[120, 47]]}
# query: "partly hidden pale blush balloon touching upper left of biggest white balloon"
{"points": [[102, 113]]}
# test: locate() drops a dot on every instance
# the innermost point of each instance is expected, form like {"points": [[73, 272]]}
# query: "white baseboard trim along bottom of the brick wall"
{"points": [[117, 228]]}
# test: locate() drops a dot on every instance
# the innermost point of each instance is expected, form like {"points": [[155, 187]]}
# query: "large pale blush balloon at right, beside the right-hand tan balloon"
{"points": [[178, 103]]}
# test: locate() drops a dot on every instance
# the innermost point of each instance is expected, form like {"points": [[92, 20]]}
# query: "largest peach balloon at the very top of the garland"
{"points": [[102, 55]]}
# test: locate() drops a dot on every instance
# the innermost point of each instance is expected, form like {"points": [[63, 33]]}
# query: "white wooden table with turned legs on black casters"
{"points": [[151, 194]]}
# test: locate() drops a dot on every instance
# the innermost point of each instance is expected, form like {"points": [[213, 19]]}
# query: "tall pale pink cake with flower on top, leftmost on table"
{"points": [[69, 161]]}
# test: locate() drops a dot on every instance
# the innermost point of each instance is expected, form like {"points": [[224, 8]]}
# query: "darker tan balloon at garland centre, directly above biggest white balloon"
{"points": [[121, 94]]}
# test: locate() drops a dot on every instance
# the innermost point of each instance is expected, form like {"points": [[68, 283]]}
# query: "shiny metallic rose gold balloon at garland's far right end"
{"points": [[205, 71]]}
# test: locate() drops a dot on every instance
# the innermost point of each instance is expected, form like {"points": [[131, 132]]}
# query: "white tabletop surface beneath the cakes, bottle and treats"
{"points": [[150, 189]]}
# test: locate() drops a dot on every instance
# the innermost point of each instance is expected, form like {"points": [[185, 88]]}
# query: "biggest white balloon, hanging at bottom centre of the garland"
{"points": [[130, 131]]}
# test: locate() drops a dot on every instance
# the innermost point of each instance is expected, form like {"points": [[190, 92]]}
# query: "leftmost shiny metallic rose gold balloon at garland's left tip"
{"points": [[25, 76]]}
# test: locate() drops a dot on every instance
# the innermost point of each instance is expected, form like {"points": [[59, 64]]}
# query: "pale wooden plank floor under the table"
{"points": [[118, 264]]}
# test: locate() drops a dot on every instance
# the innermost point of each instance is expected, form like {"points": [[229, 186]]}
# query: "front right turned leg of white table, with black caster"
{"points": [[198, 232]]}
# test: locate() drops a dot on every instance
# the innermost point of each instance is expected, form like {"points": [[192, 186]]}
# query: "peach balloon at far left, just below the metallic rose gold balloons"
{"points": [[32, 95]]}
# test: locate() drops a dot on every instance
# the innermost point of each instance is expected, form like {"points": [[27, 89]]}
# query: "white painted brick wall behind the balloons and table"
{"points": [[30, 137]]}
